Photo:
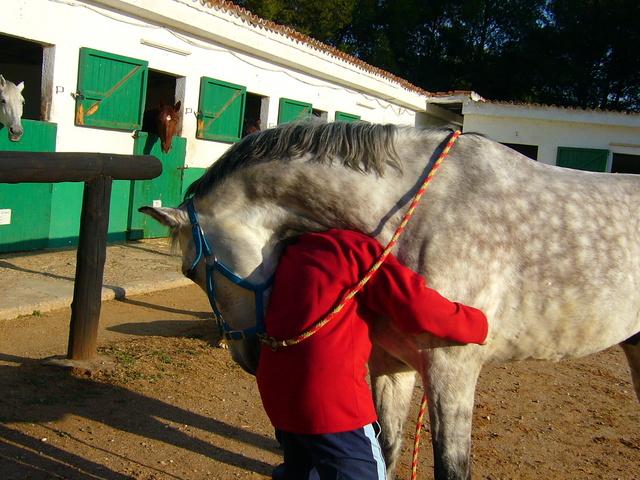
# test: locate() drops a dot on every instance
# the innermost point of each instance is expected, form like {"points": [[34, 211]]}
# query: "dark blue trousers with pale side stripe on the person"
{"points": [[352, 455]]}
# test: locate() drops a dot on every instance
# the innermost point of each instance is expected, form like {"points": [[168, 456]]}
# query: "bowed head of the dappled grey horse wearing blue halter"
{"points": [[245, 249]]}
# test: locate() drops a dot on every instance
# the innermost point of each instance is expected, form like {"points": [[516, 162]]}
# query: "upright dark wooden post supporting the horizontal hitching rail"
{"points": [[92, 252]]}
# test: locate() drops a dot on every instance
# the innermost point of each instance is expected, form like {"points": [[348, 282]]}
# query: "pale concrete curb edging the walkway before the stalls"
{"points": [[63, 295]]}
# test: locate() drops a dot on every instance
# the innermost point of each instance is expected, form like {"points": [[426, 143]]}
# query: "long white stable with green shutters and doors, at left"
{"points": [[92, 68]]}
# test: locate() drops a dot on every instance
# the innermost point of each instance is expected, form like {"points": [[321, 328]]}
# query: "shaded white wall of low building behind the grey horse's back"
{"points": [[552, 127]]}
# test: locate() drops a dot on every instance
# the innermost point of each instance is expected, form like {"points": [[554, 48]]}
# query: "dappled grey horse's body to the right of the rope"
{"points": [[552, 255]]}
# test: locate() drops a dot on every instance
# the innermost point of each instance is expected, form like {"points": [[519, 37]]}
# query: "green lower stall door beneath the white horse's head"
{"points": [[25, 208]]}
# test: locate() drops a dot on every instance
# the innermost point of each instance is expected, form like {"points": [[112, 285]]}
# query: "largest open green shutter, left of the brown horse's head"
{"points": [[111, 90]]}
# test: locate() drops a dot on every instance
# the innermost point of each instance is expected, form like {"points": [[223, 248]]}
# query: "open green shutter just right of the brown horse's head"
{"points": [[221, 110]]}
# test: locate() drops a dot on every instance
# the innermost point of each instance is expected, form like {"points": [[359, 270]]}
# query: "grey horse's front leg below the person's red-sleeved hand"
{"points": [[450, 382]]}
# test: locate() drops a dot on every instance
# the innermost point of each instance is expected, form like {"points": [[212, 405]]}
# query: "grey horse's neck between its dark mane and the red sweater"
{"points": [[313, 196]]}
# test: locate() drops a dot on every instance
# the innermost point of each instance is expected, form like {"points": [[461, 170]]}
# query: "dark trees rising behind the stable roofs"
{"points": [[566, 52]]}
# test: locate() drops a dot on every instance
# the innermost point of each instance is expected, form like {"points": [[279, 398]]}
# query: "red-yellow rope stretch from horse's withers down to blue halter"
{"points": [[346, 298]]}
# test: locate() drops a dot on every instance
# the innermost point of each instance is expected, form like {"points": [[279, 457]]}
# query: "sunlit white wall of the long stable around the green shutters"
{"points": [[209, 43]]}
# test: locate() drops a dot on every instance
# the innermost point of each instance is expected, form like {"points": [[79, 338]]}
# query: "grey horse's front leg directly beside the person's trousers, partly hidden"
{"points": [[392, 383]]}
